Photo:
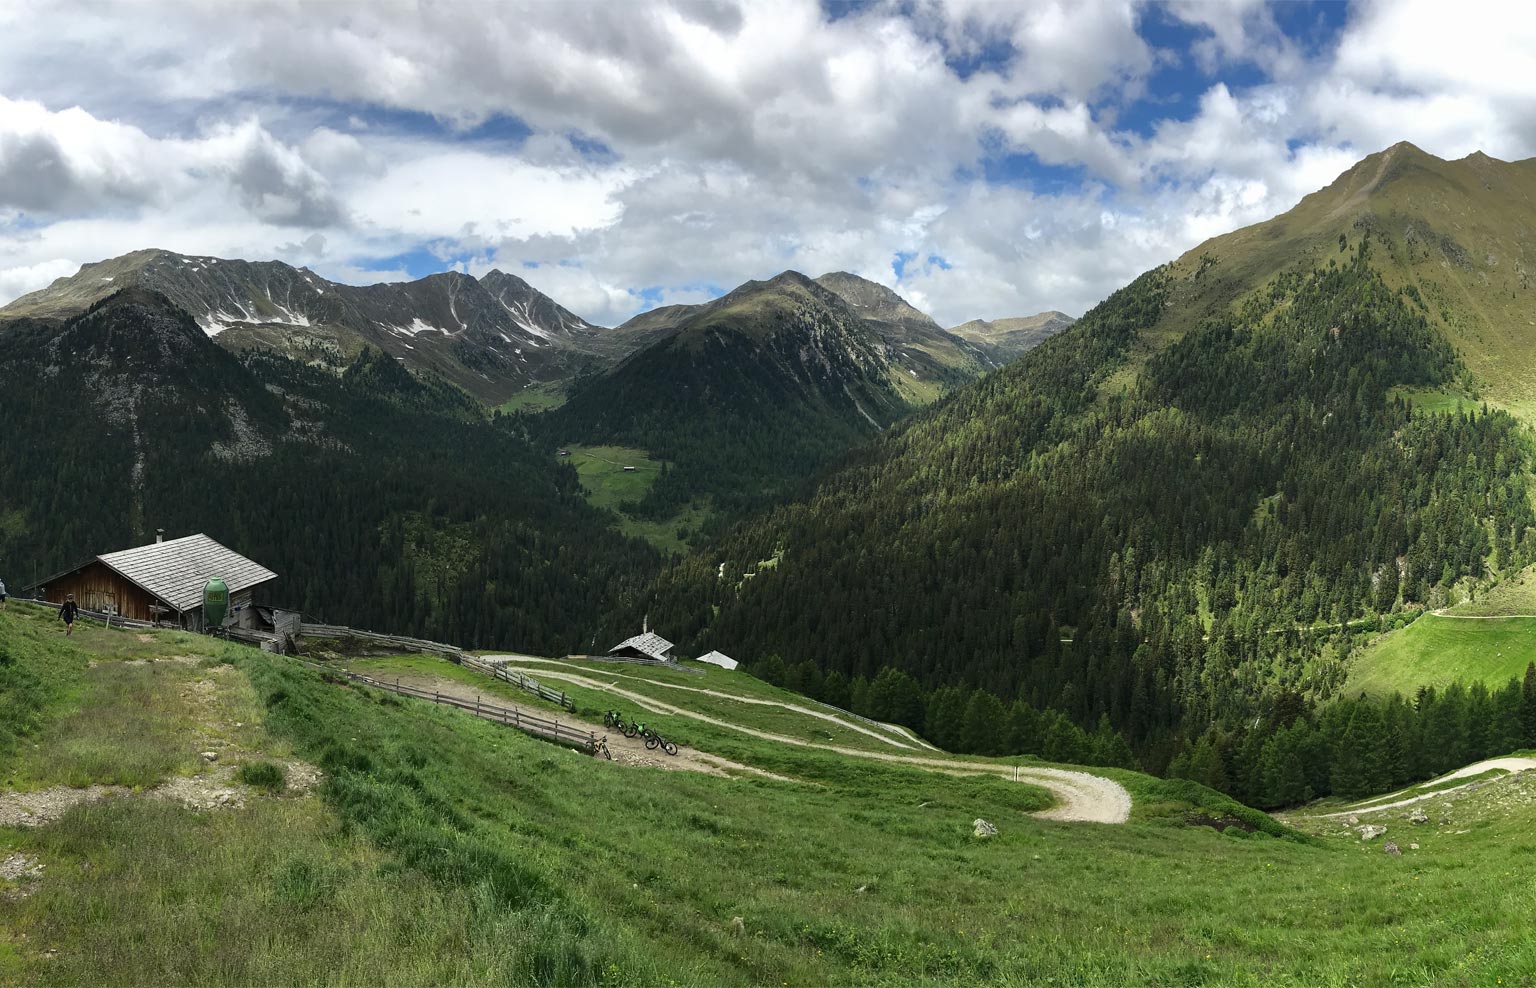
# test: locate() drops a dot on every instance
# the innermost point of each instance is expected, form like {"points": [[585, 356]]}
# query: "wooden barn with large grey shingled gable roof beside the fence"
{"points": [[162, 582]]}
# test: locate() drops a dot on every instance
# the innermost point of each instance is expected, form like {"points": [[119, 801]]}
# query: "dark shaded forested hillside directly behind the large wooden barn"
{"points": [[383, 500]]}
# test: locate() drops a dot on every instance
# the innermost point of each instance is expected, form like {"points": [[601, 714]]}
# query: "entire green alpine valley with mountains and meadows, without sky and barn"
{"points": [[1253, 535]]}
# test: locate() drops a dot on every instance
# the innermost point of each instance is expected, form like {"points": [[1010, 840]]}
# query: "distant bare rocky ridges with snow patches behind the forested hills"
{"points": [[495, 337]]}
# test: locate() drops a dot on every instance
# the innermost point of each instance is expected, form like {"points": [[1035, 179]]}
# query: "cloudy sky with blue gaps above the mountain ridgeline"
{"points": [[985, 159]]}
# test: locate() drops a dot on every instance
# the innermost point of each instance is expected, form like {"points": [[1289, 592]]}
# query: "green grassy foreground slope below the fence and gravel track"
{"points": [[449, 850]]}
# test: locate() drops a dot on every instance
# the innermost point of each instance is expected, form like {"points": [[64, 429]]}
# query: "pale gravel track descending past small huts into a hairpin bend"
{"points": [[1084, 798]]}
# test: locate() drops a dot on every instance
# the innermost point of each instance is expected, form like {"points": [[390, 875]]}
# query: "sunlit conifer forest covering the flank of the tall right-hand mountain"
{"points": [[1131, 523]]}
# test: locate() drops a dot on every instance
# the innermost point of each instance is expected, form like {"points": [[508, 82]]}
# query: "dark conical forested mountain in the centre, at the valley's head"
{"points": [[747, 397]]}
